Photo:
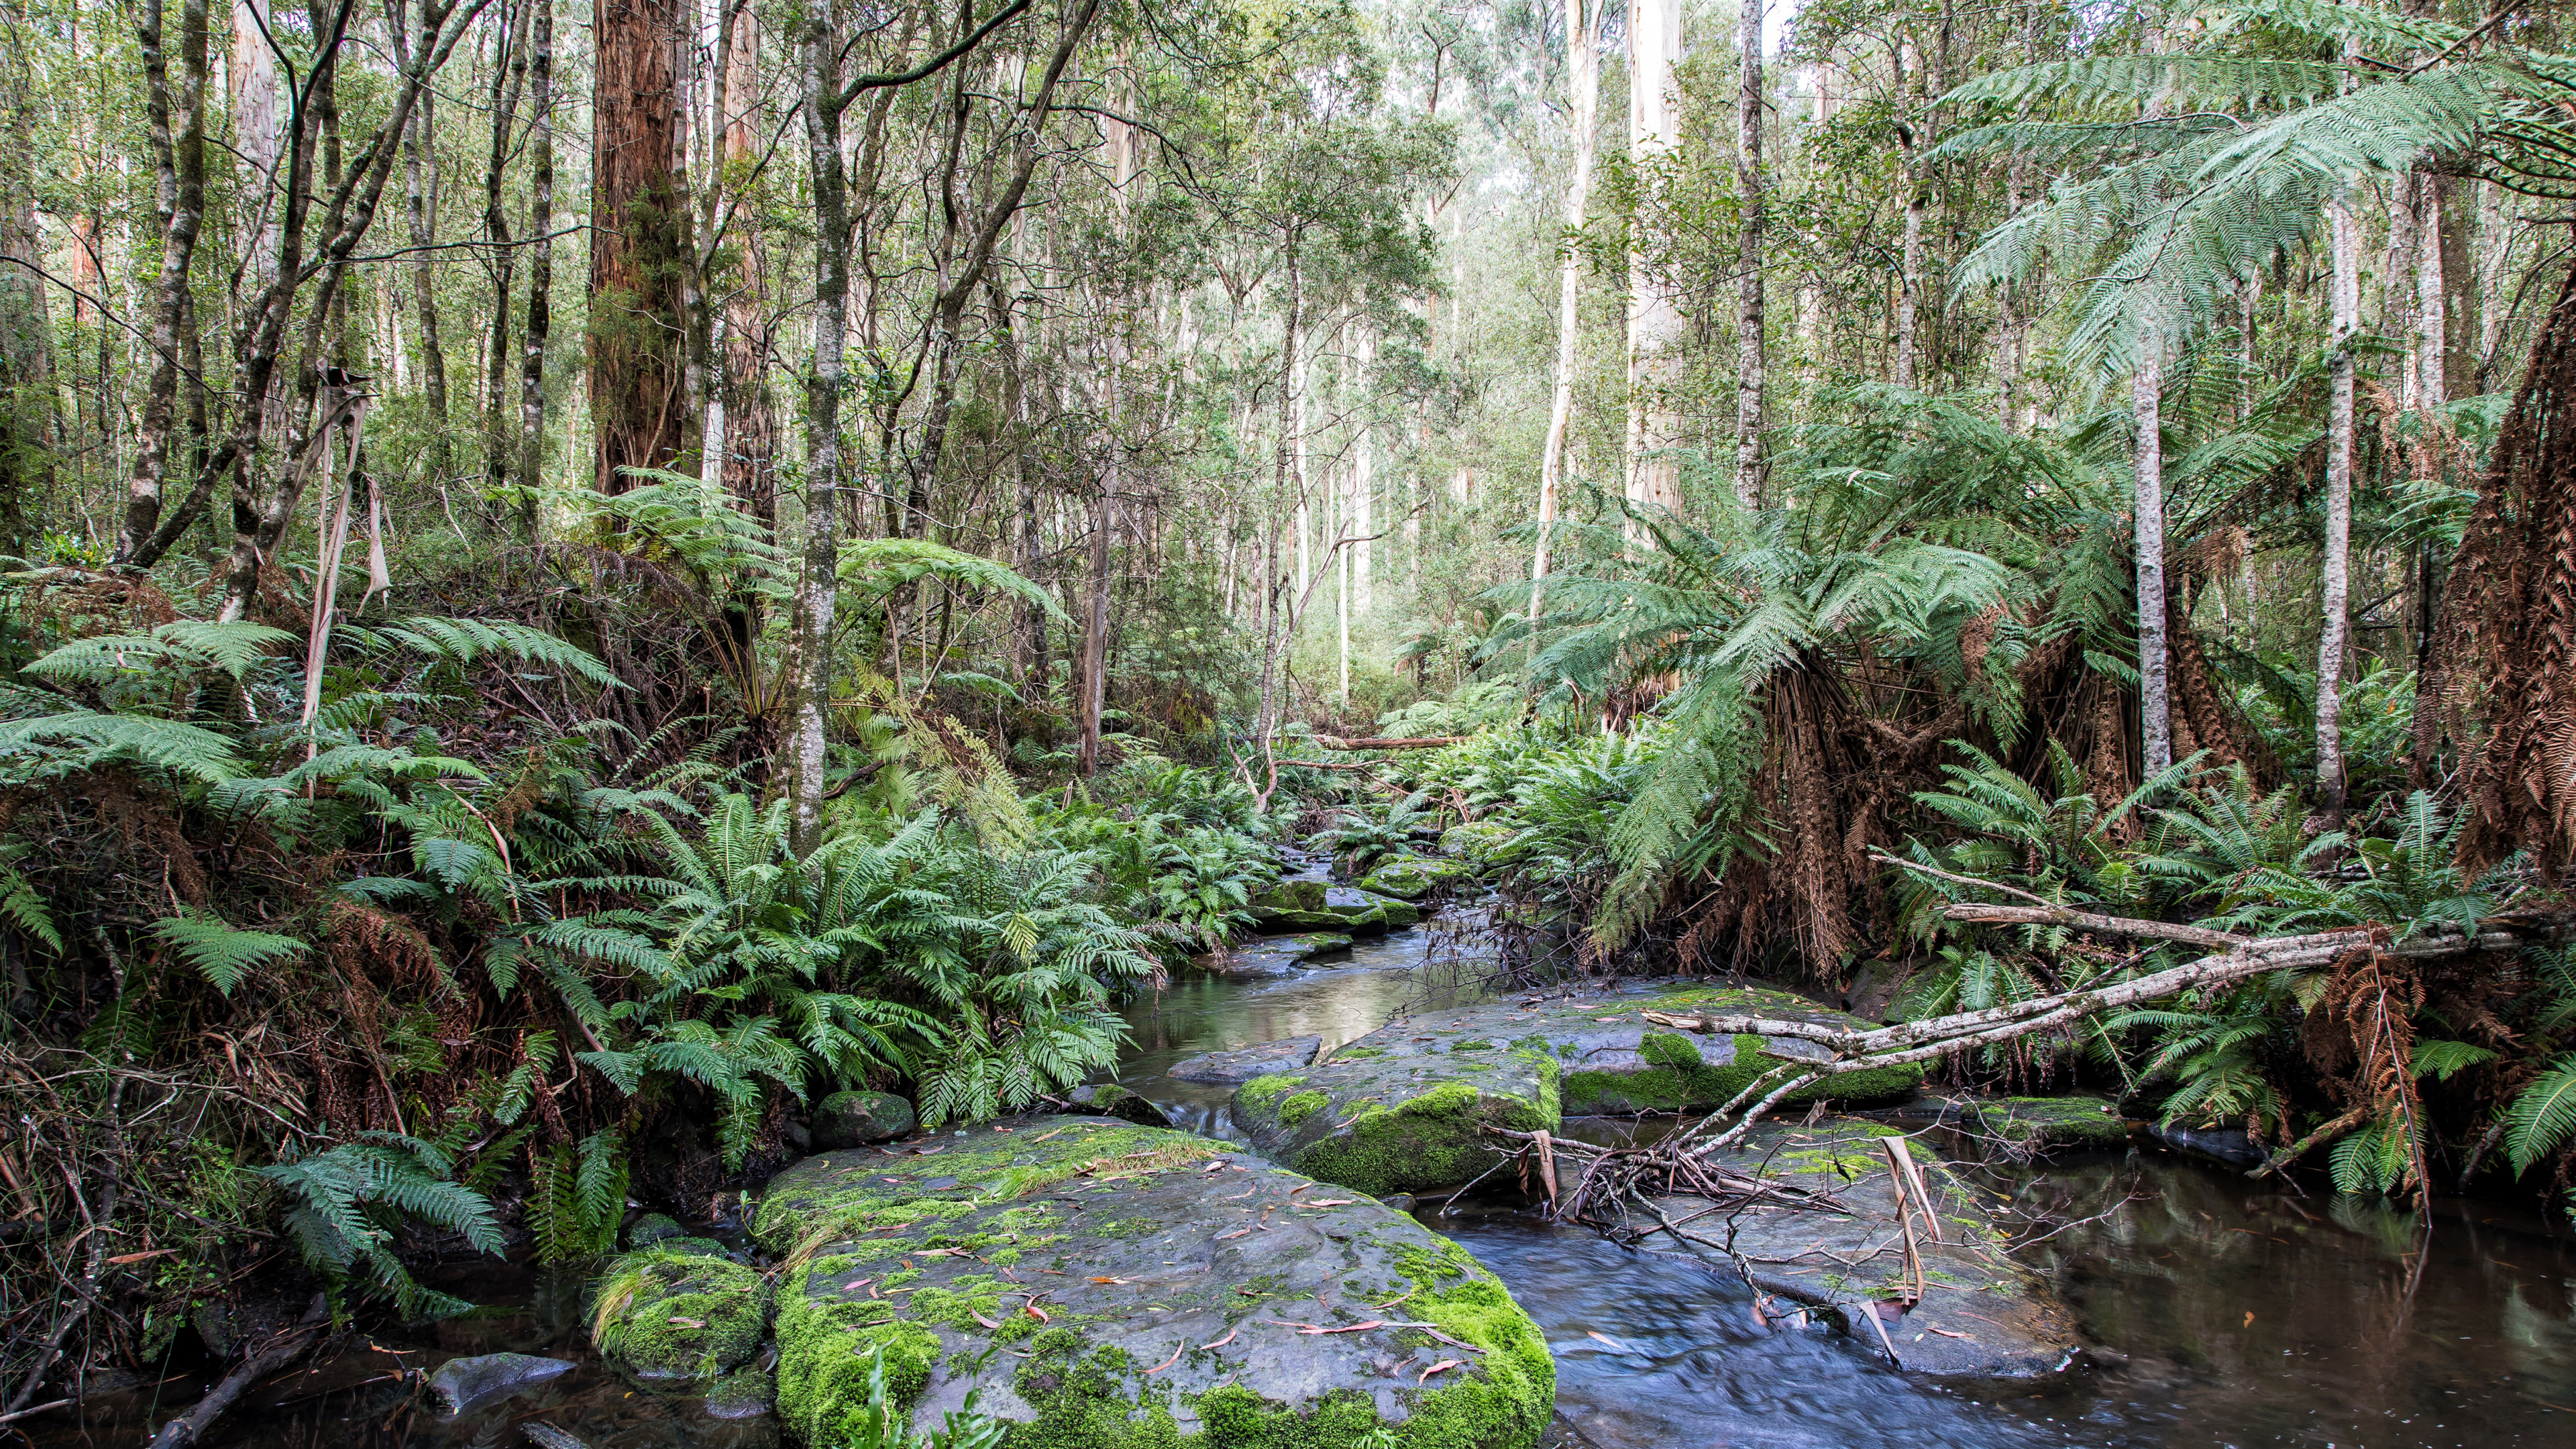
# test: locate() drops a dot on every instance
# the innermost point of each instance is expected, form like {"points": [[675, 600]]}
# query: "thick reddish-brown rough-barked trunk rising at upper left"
{"points": [[638, 241]]}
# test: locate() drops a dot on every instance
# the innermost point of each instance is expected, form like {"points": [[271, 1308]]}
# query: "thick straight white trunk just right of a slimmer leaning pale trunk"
{"points": [[1655, 316]]}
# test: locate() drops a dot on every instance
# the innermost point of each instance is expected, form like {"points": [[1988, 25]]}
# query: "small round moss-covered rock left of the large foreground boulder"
{"points": [[679, 1316]]}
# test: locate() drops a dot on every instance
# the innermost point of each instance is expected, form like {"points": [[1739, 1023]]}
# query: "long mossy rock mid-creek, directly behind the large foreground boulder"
{"points": [[1405, 1107]]}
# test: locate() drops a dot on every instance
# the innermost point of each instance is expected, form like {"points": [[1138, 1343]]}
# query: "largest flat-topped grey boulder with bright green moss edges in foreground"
{"points": [[1124, 1288]]}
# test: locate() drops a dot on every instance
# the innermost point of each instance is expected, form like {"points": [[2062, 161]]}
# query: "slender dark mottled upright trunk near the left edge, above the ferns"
{"points": [[179, 184]]}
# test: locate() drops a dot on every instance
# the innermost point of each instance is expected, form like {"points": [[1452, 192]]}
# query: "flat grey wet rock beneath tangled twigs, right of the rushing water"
{"points": [[1977, 1316]]}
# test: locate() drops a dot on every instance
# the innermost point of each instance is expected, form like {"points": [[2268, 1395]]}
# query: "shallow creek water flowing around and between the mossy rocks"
{"points": [[2227, 1314]]}
